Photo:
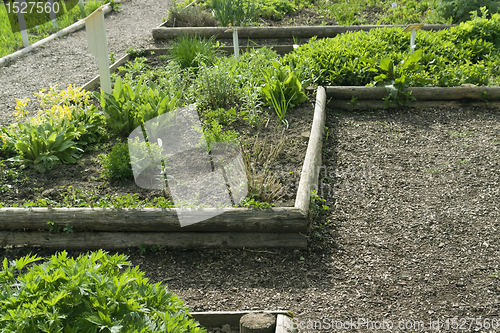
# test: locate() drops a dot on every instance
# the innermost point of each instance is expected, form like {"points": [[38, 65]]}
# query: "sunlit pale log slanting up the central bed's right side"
{"points": [[312, 161]]}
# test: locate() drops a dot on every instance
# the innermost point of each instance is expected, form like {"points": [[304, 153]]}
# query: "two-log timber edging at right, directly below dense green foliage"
{"points": [[371, 97]]}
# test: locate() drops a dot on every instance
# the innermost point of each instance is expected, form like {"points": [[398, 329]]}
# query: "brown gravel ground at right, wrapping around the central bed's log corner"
{"points": [[412, 233]]}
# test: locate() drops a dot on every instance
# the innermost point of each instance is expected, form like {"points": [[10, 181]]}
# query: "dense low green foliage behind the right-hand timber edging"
{"points": [[462, 54]]}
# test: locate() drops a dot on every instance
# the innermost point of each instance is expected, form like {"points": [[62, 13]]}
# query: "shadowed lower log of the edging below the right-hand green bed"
{"points": [[379, 104]]}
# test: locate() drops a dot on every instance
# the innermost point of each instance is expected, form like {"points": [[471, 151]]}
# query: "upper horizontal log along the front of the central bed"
{"points": [[276, 219]]}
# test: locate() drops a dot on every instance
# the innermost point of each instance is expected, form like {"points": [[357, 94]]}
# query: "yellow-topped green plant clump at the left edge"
{"points": [[63, 126]]}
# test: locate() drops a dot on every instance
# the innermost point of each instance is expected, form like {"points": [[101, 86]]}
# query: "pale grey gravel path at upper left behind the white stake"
{"points": [[67, 60]]}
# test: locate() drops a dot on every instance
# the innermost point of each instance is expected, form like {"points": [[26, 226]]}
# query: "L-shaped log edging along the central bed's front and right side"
{"points": [[96, 228]]}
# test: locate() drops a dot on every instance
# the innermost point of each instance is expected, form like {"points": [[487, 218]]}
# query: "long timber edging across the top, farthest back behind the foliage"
{"points": [[162, 32]]}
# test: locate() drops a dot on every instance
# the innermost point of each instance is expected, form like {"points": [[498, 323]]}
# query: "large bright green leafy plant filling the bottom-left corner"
{"points": [[87, 294]]}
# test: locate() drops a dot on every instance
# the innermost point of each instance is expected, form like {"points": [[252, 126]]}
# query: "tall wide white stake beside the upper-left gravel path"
{"points": [[96, 37]]}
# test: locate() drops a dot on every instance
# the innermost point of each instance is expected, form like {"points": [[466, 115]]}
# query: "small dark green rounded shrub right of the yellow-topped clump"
{"points": [[117, 163]]}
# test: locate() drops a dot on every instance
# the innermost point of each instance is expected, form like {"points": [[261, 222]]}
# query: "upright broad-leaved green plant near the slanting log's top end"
{"points": [[283, 89]]}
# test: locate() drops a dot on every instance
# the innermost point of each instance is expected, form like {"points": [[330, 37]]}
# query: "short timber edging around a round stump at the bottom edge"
{"points": [[217, 319]]}
